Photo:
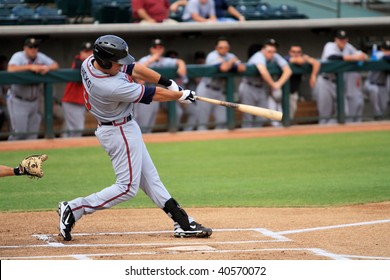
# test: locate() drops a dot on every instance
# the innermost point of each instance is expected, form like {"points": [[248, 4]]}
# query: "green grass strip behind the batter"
{"points": [[314, 170]]}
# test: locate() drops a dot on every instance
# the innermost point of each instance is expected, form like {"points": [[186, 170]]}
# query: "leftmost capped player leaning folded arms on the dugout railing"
{"points": [[23, 100]]}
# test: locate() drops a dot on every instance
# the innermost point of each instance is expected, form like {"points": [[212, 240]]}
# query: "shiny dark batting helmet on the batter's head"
{"points": [[111, 48]]}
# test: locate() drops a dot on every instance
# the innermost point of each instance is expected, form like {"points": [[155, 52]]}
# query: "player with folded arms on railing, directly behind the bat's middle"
{"points": [[225, 61]]}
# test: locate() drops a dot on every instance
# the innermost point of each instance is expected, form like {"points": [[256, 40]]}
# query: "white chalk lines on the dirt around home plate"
{"points": [[277, 237]]}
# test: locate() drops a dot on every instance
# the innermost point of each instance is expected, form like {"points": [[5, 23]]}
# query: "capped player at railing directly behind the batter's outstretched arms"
{"points": [[146, 114]]}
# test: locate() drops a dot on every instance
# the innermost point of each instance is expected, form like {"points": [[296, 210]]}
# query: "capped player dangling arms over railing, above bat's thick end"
{"points": [[264, 90]]}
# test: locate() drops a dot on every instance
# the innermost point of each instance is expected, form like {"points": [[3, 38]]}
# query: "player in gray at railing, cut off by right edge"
{"points": [[377, 85]]}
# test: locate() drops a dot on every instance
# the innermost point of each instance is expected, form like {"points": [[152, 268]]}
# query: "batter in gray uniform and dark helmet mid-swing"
{"points": [[110, 95]]}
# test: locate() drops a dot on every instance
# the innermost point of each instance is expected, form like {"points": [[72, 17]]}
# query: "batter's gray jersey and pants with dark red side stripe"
{"points": [[110, 99]]}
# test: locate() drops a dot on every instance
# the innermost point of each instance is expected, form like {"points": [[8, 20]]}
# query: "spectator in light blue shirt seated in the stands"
{"points": [[199, 11]]}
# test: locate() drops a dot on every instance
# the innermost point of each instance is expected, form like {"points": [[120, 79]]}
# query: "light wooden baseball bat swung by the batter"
{"points": [[253, 110]]}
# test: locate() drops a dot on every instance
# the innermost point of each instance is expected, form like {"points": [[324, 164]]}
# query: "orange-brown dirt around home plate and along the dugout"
{"points": [[352, 232]]}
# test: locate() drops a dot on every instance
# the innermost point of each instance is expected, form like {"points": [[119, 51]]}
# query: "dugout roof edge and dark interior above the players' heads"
{"points": [[62, 42]]}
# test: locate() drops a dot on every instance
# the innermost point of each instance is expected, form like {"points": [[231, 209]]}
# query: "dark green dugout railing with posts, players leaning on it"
{"points": [[68, 75]]}
